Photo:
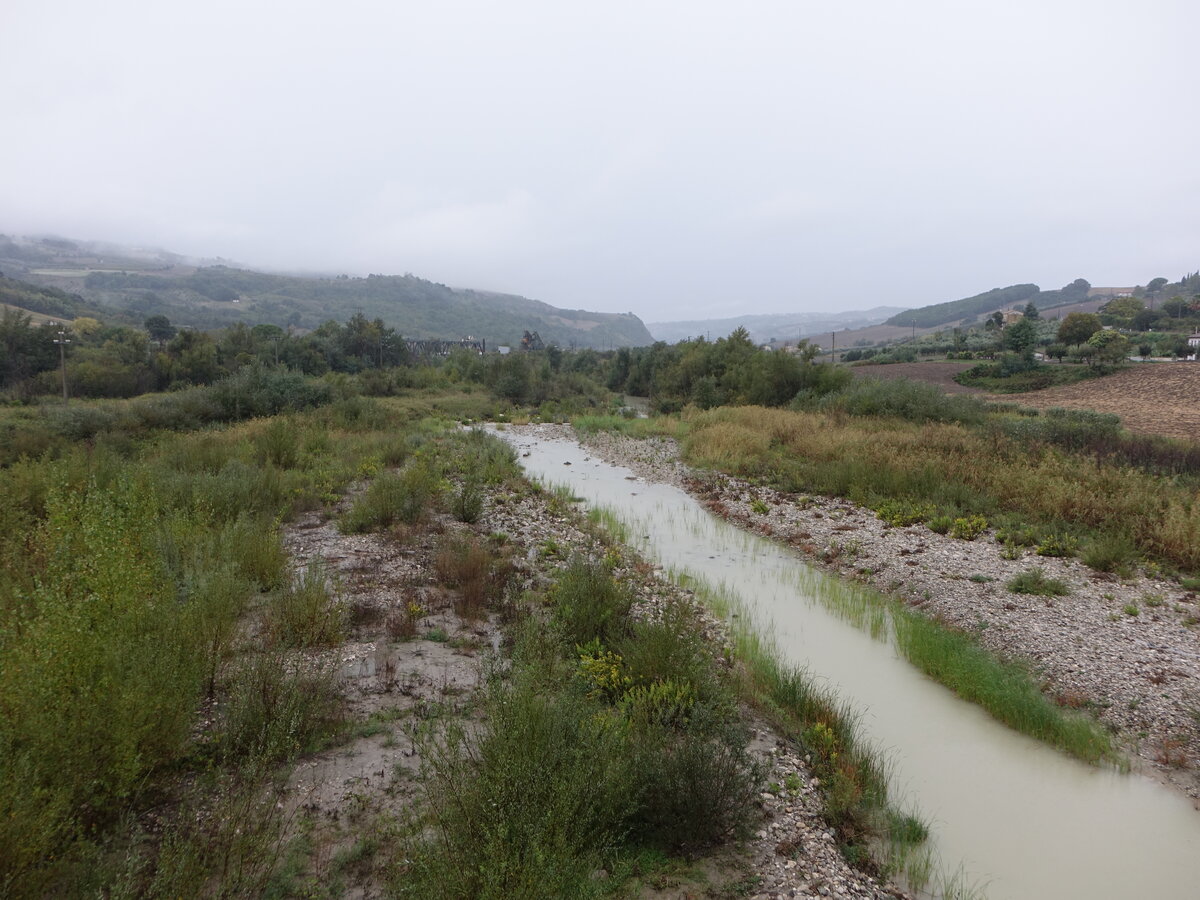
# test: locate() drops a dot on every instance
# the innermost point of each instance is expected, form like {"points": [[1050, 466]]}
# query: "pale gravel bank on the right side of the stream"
{"points": [[1124, 649]]}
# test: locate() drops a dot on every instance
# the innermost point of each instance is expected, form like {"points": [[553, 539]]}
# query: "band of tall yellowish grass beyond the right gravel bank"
{"points": [[958, 470]]}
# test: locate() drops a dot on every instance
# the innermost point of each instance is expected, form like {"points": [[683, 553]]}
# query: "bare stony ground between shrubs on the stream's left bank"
{"points": [[340, 802]]}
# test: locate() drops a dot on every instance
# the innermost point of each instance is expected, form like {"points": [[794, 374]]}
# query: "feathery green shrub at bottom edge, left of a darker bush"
{"points": [[530, 807]]}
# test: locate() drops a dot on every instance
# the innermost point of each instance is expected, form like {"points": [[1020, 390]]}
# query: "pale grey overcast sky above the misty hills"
{"points": [[677, 160]]}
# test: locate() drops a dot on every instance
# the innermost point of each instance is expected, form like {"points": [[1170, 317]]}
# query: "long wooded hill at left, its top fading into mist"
{"points": [[137, 284]]}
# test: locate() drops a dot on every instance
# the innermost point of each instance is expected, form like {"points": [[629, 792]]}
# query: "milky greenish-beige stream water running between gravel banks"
{"points": [[1016, 818]]}
